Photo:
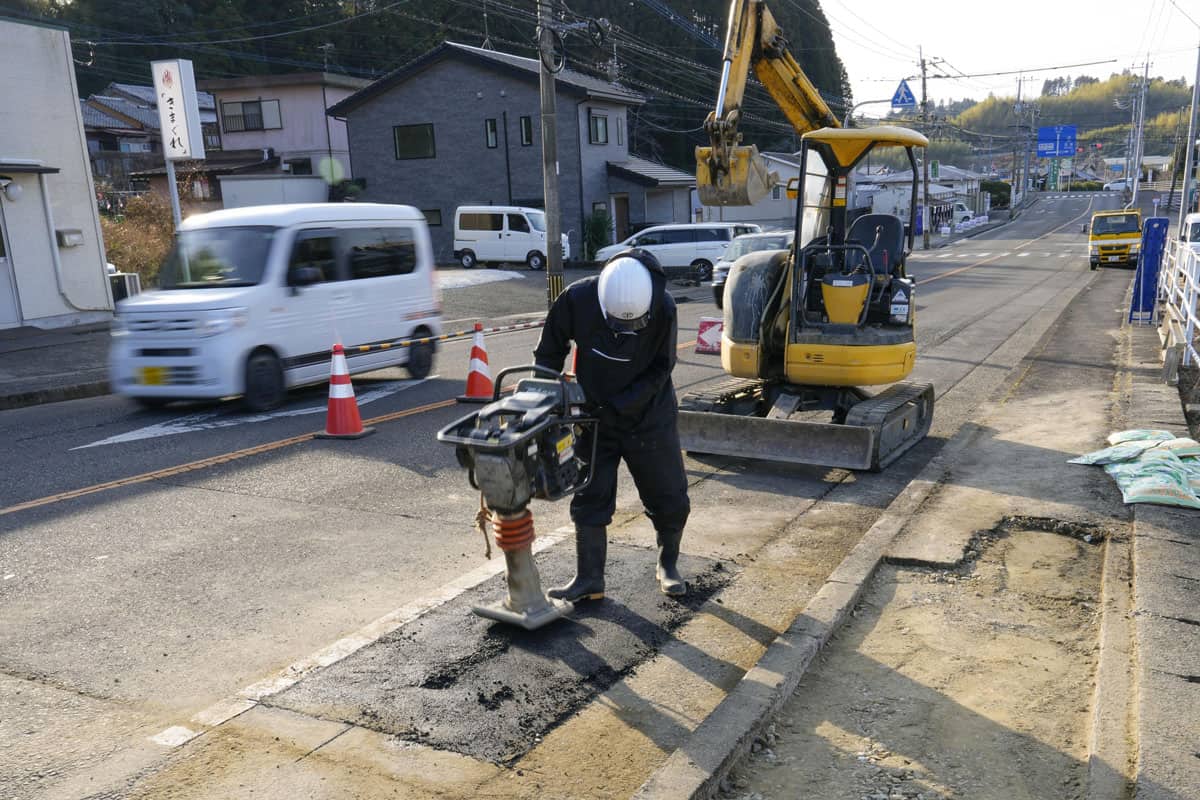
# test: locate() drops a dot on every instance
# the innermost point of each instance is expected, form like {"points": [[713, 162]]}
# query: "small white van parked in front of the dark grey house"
{"points": [[495, 234]]}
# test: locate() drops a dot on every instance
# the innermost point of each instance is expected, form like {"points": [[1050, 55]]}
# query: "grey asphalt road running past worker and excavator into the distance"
{"points": [[153, 564]]}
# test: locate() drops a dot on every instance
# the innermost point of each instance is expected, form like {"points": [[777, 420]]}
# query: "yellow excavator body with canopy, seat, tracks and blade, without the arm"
{"points": [[806, 330]]}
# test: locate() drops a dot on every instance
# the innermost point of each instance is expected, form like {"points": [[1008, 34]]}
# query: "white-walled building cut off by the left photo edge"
{"points": [[52, 251]]}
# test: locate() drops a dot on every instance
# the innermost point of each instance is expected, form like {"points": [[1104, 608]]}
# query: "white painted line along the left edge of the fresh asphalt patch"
{"points": [[249, 697]]}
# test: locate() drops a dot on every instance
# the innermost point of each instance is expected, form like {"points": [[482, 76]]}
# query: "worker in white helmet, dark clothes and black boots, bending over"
{"points": [[623, 324]]}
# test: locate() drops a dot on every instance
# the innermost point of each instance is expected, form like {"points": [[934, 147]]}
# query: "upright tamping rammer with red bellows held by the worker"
{"points": [[517, 449]]}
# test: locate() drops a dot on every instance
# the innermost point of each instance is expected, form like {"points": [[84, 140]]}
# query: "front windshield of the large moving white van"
{"points": [[217, 257]]}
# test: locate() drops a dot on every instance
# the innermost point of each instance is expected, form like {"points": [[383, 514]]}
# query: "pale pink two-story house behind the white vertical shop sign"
{"points": [[286, 116]]}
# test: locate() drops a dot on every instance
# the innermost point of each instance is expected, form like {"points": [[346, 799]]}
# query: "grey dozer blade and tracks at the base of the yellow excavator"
{"points": [[735, 419]]}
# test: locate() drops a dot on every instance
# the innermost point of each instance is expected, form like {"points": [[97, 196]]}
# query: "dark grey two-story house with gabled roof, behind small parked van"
{"points": [[460, 127]]}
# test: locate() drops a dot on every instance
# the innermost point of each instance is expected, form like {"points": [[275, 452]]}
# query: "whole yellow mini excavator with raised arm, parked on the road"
{"points": [[807, 329]]}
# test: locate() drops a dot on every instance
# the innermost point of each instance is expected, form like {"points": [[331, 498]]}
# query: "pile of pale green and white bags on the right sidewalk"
{"points": [[1151, 467]]}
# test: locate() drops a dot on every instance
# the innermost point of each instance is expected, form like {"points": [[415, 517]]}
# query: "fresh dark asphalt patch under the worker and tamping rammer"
{"points": [[453, 681]]}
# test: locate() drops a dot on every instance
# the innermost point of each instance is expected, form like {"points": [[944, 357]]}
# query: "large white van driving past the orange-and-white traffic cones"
{"points": [[251, 302]]}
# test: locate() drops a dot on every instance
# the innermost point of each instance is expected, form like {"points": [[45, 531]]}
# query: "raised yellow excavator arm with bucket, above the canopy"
{"points": [[729, 173]]}
